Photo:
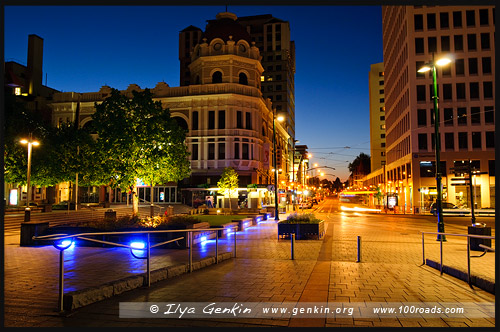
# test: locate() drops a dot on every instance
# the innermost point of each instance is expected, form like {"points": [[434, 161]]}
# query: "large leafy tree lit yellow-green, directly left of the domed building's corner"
{"points": [[137, 139]]}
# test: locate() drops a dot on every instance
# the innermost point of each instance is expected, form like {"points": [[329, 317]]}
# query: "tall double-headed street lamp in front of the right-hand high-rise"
{"points": [[439, 206]]}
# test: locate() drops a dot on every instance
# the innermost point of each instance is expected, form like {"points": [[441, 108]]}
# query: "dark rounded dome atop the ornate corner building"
{"points": [[224, 26]]}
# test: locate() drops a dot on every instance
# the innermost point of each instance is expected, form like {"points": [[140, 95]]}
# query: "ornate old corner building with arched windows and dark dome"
{"points": [[229, 122]]}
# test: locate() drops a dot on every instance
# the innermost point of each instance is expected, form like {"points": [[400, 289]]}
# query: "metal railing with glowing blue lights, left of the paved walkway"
{"points": [[58, 242]]}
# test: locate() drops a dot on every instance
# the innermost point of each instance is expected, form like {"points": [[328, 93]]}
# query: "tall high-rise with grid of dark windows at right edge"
{"points": [[412, 37]]}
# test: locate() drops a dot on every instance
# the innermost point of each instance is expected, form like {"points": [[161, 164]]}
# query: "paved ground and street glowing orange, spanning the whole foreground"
{"points": [[323, 272]]}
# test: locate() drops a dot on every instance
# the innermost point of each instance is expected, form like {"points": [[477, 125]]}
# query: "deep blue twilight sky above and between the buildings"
{"points": [[86, 47]]}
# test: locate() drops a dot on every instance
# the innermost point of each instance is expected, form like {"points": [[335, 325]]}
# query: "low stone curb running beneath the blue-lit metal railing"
{"points": [[81, 298]]}
